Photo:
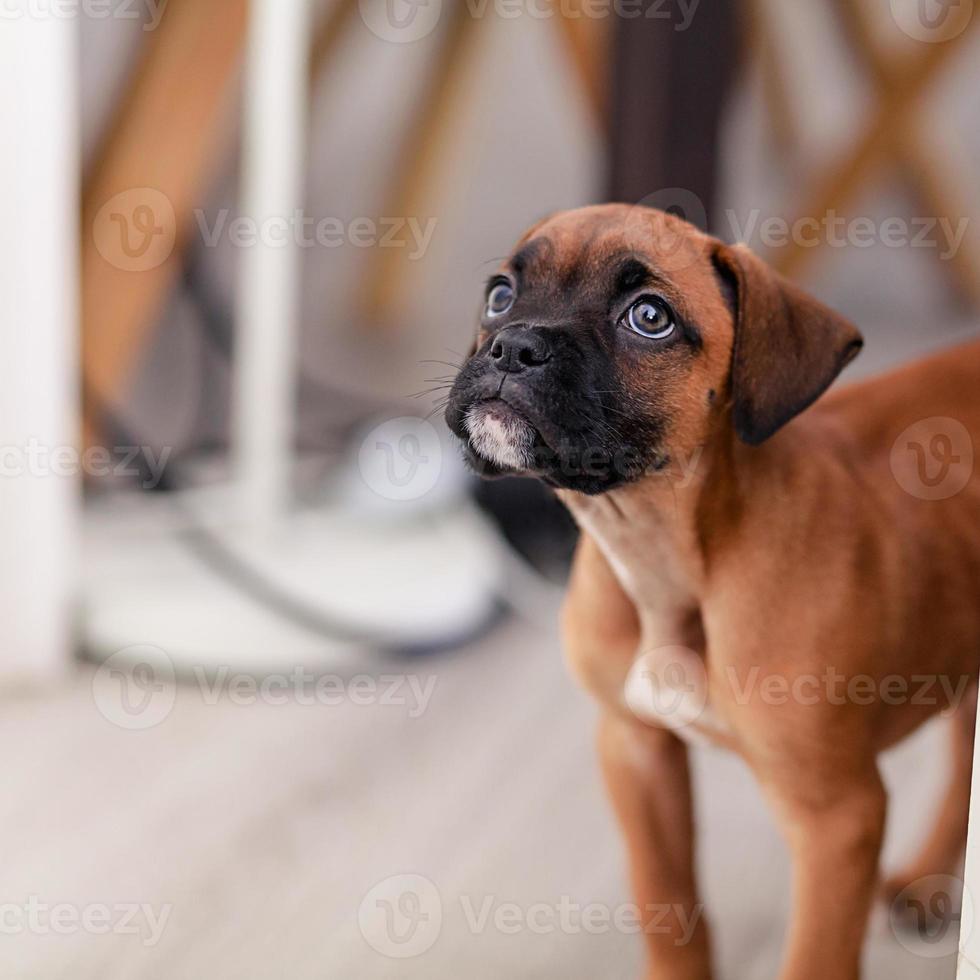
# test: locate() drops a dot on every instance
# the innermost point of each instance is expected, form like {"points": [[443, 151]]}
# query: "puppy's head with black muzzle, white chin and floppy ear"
{"points": [[615, 339]]}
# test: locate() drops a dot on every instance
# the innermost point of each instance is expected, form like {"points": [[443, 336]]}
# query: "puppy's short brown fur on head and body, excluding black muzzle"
{"points": [[789, 556]]}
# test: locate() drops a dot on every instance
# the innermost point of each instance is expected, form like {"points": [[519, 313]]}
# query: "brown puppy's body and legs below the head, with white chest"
{"points": [[782, 562]]}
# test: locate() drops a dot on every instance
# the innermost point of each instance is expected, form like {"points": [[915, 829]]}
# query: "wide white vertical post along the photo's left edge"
{"points": [[39, 483]]}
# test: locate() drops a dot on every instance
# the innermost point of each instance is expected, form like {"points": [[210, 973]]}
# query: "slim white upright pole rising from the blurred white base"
{"points": [[267, 304]]}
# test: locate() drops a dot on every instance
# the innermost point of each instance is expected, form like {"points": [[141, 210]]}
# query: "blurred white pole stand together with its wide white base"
{"points": [[240, 574]]}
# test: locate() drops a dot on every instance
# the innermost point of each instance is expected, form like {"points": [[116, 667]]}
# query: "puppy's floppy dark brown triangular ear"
{"points": [[788, 346]]}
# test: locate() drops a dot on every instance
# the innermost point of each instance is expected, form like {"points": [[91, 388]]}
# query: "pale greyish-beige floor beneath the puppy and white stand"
{"points": [[263, 827]]}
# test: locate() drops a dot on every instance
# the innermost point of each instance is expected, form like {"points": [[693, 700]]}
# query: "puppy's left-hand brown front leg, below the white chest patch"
{"points": [[646, 772]]}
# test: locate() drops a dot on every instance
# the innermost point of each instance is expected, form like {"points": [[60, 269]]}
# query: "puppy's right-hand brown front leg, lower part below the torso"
{"points": [[834, 831]]}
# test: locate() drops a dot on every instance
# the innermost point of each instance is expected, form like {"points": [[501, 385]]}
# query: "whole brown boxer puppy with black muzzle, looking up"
{"points": [[783, 584]]}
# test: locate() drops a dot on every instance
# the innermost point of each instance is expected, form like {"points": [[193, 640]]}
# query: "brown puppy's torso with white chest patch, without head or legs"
{"points": [[808, 535]]}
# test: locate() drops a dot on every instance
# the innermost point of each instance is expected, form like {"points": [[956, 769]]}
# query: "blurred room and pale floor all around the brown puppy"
{"points": [[283, 691]]}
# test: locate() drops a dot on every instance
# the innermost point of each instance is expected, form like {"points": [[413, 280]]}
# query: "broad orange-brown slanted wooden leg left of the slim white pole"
{"points": [[167, 137]]}
